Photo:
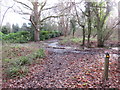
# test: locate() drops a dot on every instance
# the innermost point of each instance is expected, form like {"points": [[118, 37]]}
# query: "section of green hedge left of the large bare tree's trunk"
{"points": [[19, 37]]}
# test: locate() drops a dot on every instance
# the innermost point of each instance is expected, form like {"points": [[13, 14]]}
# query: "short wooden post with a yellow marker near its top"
{"points": [[106, 67]]}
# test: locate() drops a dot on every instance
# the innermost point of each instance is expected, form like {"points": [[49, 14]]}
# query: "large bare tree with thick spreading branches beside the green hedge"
{"points": [[36, 19]]}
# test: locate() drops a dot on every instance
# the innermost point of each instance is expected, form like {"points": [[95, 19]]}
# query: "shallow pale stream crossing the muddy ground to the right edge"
{"points": [[53, 46]]}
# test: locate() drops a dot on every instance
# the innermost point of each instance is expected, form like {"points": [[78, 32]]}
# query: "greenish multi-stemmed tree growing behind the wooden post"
{"points": [[102, 10]]}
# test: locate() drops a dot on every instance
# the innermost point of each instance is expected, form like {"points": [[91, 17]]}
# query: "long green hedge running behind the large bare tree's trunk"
{"points": [[25, 36]]}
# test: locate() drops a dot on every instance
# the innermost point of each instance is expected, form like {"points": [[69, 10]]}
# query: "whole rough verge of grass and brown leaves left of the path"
{"points": [[16, 60]]}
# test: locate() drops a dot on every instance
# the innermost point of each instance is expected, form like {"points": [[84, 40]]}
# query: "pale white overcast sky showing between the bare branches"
{"points": [[13, 17]]}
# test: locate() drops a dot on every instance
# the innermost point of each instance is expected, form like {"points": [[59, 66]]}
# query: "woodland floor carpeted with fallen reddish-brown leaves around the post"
{"points": [[83, 69]]}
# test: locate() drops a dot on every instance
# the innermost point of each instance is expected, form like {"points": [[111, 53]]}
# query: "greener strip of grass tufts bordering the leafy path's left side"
{"points": [[18, 67]]}
